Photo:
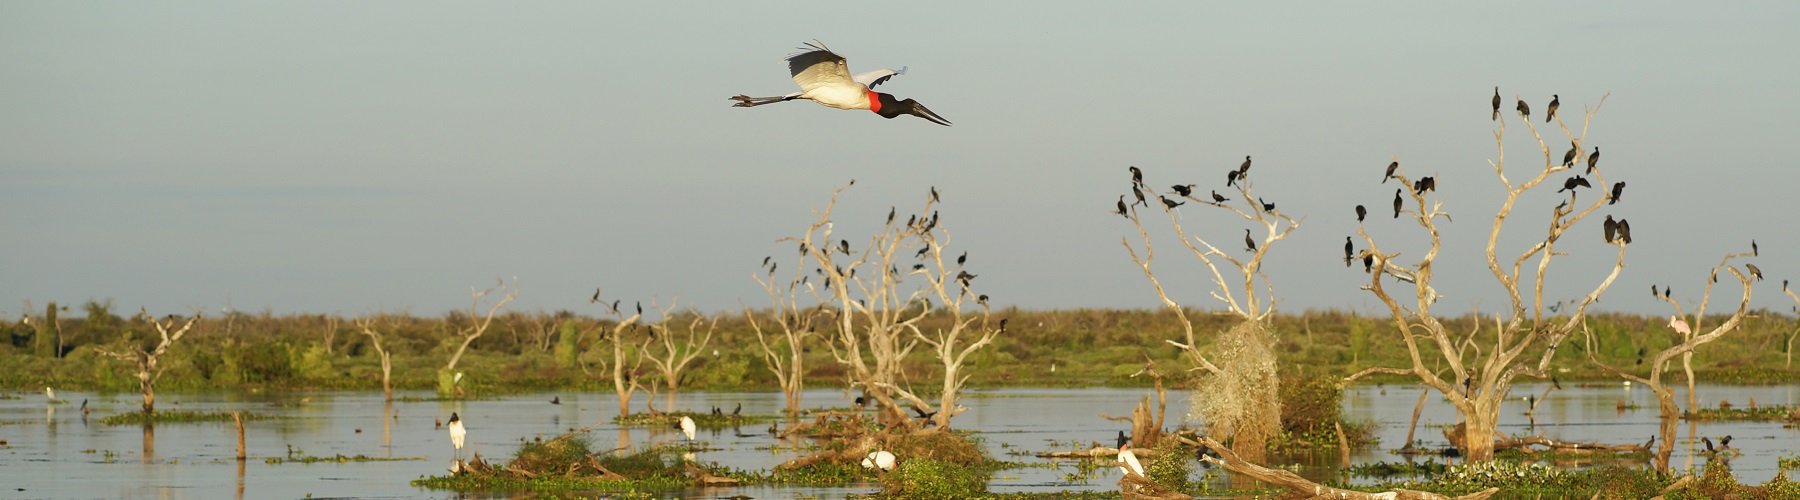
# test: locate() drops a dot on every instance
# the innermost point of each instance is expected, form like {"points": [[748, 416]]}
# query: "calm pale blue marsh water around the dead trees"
{"points": [[55, 452]]}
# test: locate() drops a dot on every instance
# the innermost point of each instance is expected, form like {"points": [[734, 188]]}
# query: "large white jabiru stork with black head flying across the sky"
{"points": [[825, 78]]}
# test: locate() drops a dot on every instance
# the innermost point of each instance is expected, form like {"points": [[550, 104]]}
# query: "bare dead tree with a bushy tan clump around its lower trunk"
{"points": [[1237, 398]]}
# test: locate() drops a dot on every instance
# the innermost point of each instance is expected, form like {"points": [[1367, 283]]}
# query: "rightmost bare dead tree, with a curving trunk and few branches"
{"points": [[1684, 348]]}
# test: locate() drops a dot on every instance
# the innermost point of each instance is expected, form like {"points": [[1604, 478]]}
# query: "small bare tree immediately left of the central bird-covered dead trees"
{"points": [[784, 330]]}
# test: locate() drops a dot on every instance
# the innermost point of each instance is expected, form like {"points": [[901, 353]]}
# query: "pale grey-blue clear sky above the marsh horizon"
{"points": [[346, 157]]}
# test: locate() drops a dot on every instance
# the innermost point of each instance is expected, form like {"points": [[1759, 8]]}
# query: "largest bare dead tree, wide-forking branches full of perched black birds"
{"points": [[1522, 343]]}
